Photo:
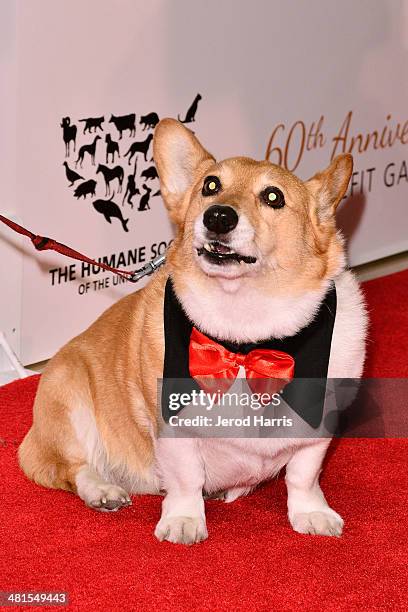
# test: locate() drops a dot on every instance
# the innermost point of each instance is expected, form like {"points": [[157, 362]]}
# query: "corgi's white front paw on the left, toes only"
{"points": [[181, 529]]}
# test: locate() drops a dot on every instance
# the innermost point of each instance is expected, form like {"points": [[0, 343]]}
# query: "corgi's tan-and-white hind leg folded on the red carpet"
{"points": [[63, 450]]}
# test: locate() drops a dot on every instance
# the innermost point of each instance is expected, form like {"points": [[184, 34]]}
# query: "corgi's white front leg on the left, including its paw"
{"points": [[182, 476]]}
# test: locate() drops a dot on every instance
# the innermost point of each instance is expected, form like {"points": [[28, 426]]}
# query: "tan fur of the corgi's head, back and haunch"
{"points": [[112, 368]]}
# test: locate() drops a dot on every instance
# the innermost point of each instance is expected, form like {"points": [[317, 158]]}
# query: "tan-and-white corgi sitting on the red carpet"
{"points": [[255, 255]]}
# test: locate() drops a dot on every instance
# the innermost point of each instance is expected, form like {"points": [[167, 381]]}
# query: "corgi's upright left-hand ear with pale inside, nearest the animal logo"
{"points": [[179, 159]]}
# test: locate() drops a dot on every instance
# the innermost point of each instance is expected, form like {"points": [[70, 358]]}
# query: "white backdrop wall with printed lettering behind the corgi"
{"points": [[295, 81]]}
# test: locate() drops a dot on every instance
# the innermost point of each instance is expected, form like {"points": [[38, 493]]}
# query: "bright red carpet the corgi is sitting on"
{"points": [[252, 560]]}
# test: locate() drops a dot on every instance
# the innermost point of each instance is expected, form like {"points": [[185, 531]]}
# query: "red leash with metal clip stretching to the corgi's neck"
{"points": [[41, 243]]}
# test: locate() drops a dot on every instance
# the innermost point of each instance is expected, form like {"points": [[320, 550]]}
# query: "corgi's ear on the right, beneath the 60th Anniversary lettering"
{"points": [[329, 186]]}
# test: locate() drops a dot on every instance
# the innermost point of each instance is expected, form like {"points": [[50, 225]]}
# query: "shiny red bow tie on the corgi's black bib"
{"points": [[215, 368]]}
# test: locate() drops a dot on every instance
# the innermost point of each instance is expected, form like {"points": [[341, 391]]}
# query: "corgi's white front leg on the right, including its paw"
{"points": [[308, 509]]}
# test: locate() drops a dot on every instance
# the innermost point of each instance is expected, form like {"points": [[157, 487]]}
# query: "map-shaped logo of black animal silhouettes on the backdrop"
{"points": [[111, 166]]}
